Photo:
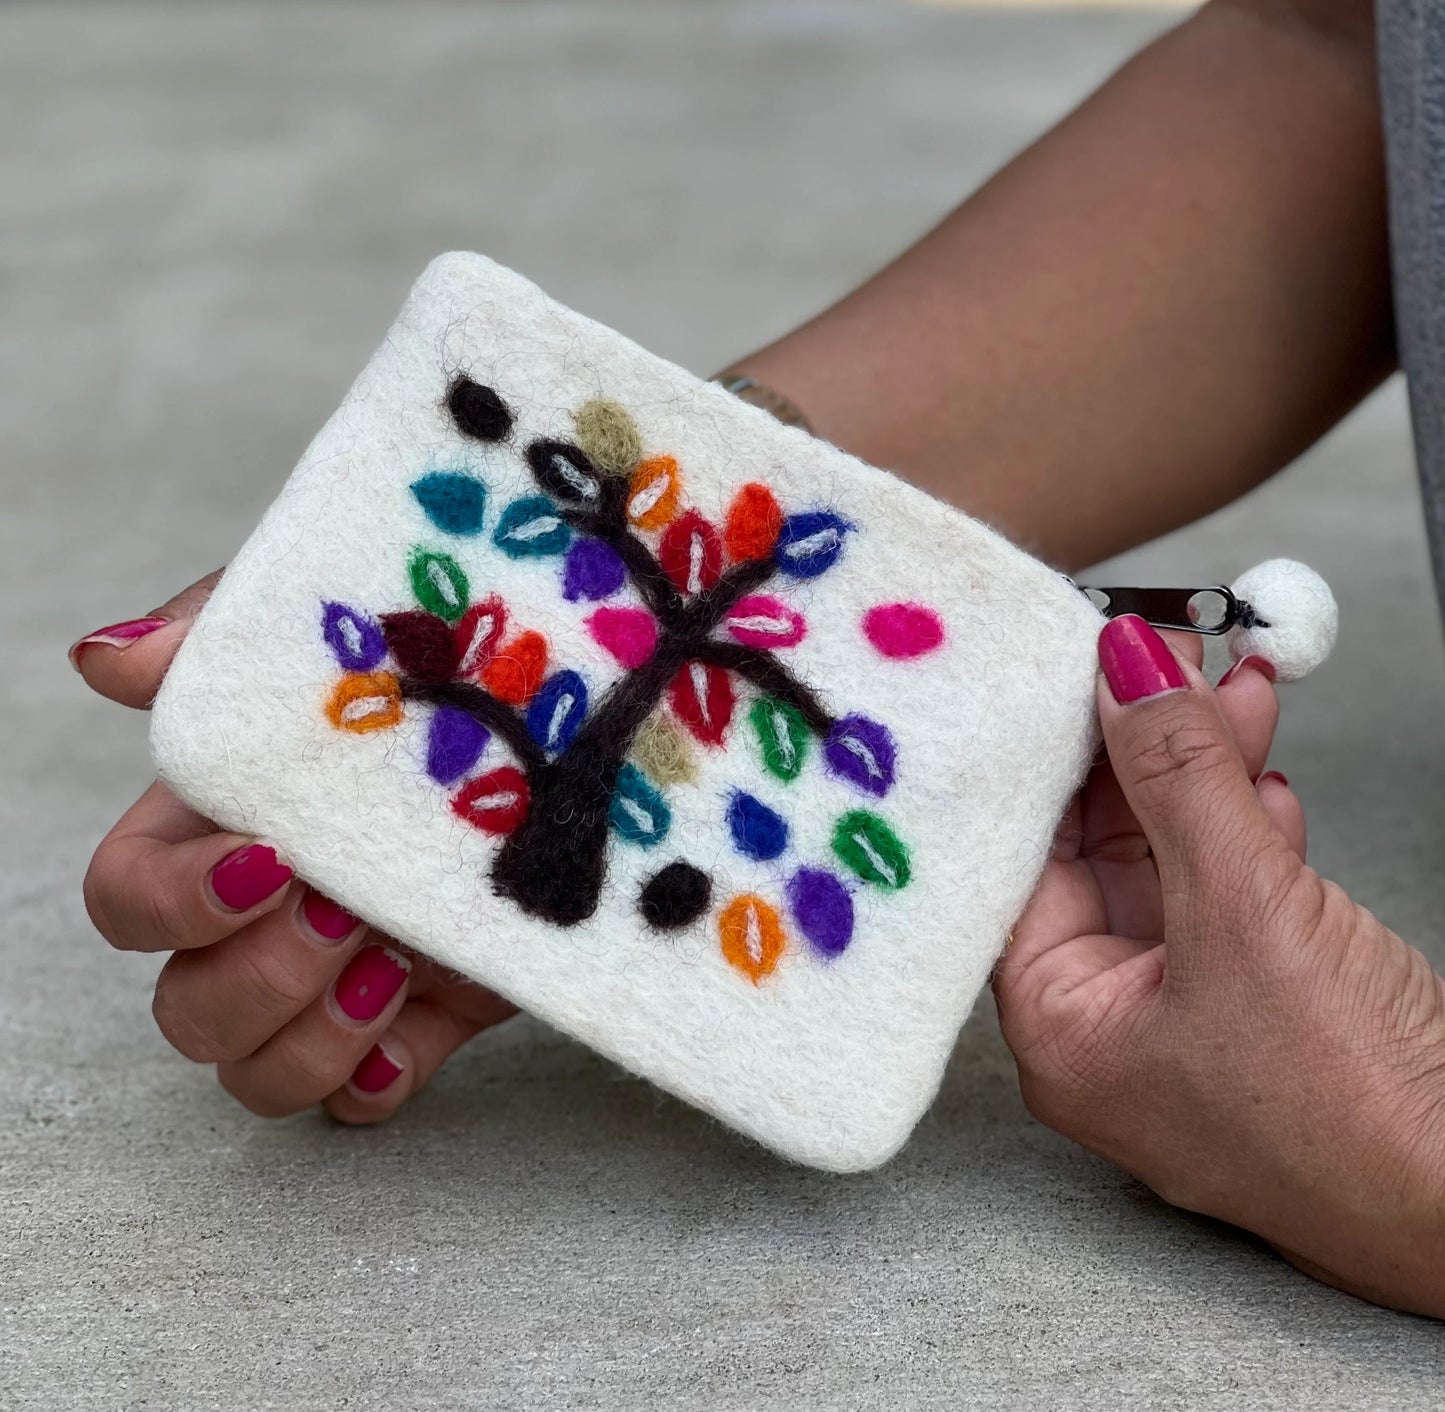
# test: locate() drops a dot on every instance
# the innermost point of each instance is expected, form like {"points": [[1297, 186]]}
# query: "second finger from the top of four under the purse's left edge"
{"points": [[226, 1001]]}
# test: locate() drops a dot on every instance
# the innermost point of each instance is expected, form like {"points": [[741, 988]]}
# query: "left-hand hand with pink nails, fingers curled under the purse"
{"points": [[291, 998]]}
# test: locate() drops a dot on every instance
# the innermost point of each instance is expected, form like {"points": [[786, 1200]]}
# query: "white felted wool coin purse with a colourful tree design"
{"points": [[687, 732]]}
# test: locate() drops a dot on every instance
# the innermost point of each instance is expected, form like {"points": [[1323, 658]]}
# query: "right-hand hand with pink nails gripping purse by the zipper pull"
{"points": [[1190, 1001]]}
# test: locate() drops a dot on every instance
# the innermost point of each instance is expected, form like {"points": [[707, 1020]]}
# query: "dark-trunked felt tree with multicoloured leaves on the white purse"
{"points": [[706, 621]]}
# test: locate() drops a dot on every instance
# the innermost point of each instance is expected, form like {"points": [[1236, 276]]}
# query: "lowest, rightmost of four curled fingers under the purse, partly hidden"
{"points": [[420, 1041]]}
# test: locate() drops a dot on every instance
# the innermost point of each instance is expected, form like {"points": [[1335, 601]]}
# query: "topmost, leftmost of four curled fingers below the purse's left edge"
{"points": [[164, 879]]}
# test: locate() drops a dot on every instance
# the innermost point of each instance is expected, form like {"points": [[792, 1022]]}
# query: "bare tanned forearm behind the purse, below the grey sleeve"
{"points": [[1149, 311]]}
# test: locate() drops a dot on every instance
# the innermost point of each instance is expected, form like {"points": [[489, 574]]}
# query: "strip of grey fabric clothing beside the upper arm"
{"points": [[1412, 83]]}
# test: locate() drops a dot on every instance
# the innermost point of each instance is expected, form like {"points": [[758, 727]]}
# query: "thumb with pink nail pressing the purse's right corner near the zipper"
{"points": [[1181, 772]]}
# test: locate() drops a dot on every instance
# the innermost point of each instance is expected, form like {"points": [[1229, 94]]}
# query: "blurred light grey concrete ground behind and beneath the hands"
{"points": [[207, 218]]}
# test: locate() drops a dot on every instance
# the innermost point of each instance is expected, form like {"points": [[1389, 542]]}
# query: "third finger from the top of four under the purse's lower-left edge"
{"points": [[319, 1051]]}
